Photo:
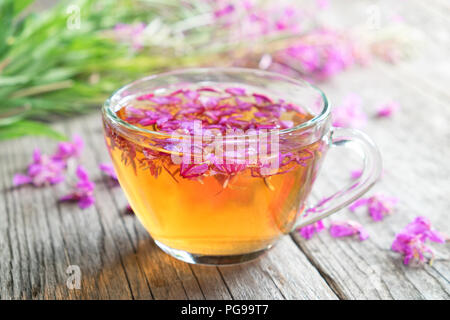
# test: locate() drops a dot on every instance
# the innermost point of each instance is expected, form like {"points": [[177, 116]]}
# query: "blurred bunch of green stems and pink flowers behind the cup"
{"points": [[58, 58]]}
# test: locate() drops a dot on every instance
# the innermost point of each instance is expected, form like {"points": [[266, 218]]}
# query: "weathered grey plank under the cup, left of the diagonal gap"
{"points": [[116, 256]]}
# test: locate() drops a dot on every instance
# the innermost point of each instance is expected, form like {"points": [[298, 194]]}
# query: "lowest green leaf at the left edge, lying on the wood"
{"points": [[25, 127]]}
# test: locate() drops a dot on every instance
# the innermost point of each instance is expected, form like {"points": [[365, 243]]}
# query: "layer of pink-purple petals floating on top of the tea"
{"points": [[211, 113]]}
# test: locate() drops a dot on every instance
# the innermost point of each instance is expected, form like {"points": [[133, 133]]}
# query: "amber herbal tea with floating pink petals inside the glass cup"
{"points": [[214, 176]]}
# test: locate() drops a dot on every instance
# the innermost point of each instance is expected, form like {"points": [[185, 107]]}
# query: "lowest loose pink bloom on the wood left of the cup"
{"points": [[83, 191]]}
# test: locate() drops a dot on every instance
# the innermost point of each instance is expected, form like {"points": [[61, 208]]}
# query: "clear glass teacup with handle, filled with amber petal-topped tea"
{"points": [[224, 183]]}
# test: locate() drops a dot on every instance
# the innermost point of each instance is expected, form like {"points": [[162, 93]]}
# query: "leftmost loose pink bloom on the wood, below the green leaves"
{"points": [[42, 171]]}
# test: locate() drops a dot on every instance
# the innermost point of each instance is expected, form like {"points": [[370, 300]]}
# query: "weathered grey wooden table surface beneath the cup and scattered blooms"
{"points": [[40, 238]]}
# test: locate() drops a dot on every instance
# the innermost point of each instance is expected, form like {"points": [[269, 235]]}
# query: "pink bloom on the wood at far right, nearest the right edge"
{"points": [[411, 241]]}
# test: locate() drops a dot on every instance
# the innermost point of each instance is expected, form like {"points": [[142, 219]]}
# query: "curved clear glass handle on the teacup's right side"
{"points": [[360, 142]]}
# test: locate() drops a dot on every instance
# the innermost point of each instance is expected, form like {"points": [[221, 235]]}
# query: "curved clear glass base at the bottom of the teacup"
{"points": [[211, 260]]}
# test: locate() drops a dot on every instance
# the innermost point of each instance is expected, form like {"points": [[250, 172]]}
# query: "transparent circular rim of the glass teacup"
{"points": [[112, 116]]}
